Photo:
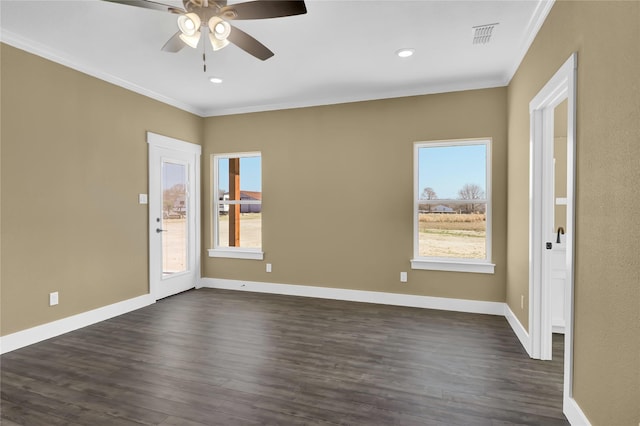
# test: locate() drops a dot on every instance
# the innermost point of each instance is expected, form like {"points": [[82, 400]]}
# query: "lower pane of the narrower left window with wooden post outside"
{"points": [[250, 227]]}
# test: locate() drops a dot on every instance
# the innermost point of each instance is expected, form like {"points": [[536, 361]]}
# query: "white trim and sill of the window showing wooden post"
{"points": [[229, 252]]}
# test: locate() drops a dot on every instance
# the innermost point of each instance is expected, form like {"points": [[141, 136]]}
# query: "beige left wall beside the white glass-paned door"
{"points": [[74, 158]]}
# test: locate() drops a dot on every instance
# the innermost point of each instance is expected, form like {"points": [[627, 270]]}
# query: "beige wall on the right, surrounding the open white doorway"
{"points": [[607, 279]]}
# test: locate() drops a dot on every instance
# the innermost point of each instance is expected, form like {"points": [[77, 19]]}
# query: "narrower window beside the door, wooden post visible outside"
{"points": [[237, 206]]}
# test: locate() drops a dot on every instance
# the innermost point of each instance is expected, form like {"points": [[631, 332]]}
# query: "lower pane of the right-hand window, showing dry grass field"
{"points": [[452, 234]]}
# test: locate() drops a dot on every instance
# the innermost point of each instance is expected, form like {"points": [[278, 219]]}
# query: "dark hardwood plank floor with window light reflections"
{"points": [[214, 357]]}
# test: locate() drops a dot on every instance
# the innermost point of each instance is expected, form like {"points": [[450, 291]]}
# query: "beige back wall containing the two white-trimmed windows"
{"points": [[337, 191]]}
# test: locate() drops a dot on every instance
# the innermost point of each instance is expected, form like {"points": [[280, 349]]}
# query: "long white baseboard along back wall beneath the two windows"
{"points": [[409, 300]]}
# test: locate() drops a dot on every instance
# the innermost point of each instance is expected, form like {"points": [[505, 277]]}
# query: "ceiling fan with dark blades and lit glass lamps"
{"points": [[213, 16]]}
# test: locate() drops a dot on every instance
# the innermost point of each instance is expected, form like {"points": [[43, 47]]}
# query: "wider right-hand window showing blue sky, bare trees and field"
{"points": [[452, 206]]}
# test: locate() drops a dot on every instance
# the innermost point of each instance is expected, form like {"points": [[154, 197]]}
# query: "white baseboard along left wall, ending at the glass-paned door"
{"points": [[23, 338]]}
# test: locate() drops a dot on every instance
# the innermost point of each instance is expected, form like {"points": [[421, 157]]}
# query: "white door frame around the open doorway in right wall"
{"points": [[541, 109]]}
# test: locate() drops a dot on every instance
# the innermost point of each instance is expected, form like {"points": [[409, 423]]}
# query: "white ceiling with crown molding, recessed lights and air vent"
{"points": [[340, 51]]}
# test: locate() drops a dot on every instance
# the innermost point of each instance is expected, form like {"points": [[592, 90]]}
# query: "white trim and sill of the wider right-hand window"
{"points": [[483, 266]]}
